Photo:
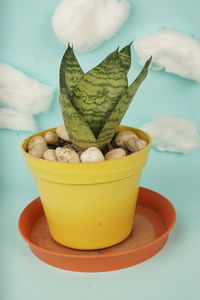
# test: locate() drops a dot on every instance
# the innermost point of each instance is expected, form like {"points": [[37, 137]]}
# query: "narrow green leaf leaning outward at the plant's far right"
{"points": [[118, 113]]}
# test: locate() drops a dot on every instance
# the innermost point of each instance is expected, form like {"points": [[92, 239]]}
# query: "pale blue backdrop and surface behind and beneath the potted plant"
{"points": [[29, 44]]}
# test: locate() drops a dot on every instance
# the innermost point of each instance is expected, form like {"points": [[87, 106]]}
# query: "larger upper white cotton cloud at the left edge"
{"points": [[22, 92]]}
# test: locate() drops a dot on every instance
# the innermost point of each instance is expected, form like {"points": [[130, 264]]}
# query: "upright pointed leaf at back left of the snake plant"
{"points": [[70, 70]]}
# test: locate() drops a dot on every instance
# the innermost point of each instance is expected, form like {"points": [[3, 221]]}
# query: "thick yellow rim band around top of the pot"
{"points": [[88, 173]]}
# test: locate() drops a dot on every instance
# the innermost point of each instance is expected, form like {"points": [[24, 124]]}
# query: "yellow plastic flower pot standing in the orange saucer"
{"points": [[89, 205]]}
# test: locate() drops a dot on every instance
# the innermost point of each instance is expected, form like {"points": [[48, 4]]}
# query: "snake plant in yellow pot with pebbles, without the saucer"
{"points": [[89, 201]]}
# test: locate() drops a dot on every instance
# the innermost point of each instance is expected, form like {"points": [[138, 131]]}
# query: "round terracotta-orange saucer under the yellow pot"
{"points": [[154, 219]]}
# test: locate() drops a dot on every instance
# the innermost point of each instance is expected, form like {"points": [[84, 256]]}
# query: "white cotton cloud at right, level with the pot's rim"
{"points": [[173, 134]]}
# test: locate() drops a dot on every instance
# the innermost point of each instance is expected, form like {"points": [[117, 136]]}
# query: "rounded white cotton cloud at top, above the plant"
{"points": [[86, 23]]}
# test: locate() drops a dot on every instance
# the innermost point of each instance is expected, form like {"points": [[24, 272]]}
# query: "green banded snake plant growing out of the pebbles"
{"points": [[94, 103]]}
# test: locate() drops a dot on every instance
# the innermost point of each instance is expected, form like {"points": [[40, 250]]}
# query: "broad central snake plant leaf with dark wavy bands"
{"points": [[99, 90]]}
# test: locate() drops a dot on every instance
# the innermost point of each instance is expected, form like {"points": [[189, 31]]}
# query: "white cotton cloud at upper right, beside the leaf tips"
{"points": [[176, 52]]}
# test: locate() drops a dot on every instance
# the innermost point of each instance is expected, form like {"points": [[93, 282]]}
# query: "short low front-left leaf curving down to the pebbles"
{"points": [[79, 132]]}
